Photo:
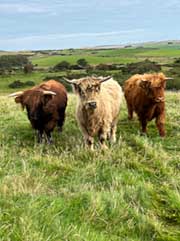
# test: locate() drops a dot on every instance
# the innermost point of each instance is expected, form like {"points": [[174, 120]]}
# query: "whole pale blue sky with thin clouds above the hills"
{"points": [[52, 24]]}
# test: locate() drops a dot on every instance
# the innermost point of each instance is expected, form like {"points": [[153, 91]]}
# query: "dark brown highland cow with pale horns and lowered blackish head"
{"points": [[45, 105]]}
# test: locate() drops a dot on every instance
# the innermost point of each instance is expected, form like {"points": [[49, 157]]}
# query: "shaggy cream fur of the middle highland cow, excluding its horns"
{"points": [[98, 109]]}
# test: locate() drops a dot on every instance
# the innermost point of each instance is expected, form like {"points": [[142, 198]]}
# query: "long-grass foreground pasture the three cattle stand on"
{"points": [[65, 192]]}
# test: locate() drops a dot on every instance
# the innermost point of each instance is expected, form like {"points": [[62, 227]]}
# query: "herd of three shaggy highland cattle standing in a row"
{"points": [[99, 101]]}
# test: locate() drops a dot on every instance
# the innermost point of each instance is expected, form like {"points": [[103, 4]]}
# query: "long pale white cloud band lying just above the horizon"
{"points": [[54, 41]]}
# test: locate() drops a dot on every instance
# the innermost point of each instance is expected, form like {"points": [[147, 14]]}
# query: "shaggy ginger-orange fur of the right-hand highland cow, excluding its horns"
{"points": [[144, 94]]}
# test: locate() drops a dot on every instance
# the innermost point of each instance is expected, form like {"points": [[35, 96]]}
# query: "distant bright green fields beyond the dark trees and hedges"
{"points": [[162, 53]]}
